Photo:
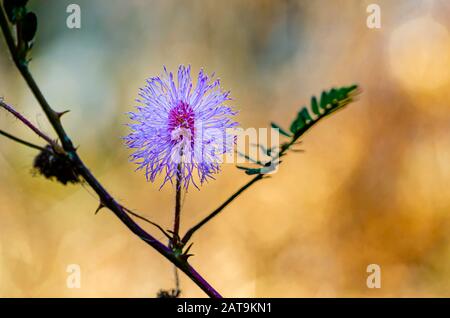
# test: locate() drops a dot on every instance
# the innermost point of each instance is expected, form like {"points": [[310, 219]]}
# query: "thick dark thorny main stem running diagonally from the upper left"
{"points": [[105, 198]]}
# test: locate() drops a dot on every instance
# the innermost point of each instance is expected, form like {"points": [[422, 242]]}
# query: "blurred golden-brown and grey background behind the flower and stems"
{"points": [[372, 187]]}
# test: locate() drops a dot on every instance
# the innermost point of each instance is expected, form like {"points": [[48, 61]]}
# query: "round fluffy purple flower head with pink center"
{"points": [[181, 129]]}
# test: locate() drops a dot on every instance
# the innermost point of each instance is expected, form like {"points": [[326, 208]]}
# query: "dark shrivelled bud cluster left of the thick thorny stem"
{"points": [[55, 166]]}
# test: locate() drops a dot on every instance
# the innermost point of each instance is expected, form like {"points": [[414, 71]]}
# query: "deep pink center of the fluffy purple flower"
{"points": [[181, 122]]}
